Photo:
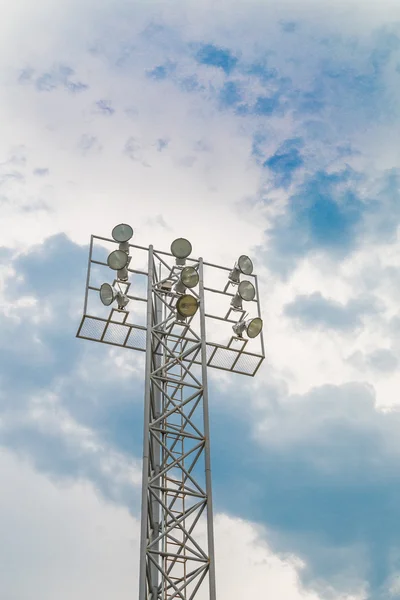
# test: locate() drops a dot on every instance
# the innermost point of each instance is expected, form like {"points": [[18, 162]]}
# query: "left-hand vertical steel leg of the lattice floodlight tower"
{"points": [[146, 447]]}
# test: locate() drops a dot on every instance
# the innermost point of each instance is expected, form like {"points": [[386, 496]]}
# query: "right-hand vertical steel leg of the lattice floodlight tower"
{"points": [[210, 525]]}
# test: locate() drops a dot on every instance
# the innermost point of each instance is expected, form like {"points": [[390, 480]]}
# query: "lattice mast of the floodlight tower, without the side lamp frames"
{"points": [[176, 490]]}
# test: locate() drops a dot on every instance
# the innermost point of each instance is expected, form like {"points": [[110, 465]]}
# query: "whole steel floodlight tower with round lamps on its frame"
{"points": [[177, 539]]}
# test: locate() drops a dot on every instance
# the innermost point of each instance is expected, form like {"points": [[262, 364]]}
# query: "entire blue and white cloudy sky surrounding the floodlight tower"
{"points": [[249, 127]]}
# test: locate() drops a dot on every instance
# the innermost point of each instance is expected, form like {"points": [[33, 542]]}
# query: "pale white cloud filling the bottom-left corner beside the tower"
{"points": [[62, 541]]}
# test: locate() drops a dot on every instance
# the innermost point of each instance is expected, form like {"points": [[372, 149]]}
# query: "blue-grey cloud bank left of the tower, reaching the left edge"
{"points": [[41, 359]]}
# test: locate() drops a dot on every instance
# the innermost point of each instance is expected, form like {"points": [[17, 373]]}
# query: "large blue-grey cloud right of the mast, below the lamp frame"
{"points": [[324, 481]]}
